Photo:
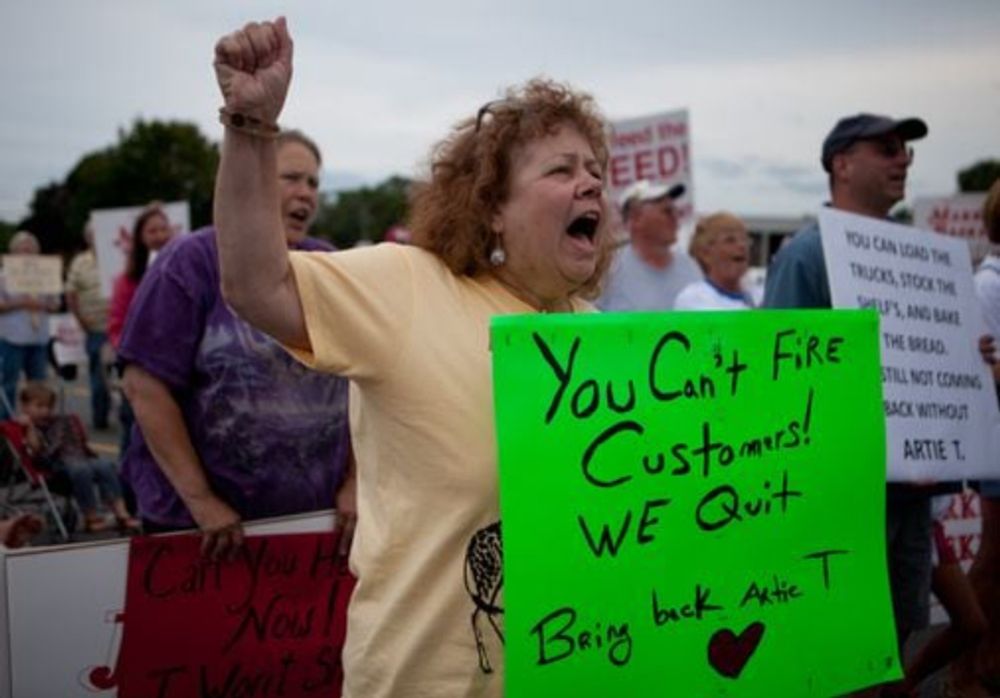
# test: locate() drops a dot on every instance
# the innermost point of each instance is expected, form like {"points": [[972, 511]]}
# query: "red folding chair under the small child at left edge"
{"points": [[26, 487]]}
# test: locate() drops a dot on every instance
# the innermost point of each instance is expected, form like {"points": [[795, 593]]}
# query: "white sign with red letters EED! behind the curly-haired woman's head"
{"points": [[657, 148]]}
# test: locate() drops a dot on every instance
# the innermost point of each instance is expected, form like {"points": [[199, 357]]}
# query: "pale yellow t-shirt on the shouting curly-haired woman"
{"points": [[414, 340]]}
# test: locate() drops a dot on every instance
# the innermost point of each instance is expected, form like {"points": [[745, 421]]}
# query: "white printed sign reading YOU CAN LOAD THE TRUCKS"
{"points": [[941, 412]]}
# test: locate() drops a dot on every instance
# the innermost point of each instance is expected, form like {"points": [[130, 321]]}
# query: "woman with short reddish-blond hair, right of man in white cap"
{"points": [[721, 247]]}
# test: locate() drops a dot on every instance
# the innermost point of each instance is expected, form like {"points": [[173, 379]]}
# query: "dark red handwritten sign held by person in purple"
{"points": [[271, 622]]}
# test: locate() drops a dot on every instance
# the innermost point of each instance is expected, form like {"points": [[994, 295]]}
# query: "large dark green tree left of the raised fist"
{"points": [[153, 160]]}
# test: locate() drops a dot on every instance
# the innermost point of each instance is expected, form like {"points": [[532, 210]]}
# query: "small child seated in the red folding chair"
{"points": [[59, 443]]}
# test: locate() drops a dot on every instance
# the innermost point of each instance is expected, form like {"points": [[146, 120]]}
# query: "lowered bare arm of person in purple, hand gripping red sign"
{"points": [[159, 416]]}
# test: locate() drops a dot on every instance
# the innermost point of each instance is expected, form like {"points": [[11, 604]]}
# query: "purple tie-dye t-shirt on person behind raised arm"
{"points": [[271, 434]]}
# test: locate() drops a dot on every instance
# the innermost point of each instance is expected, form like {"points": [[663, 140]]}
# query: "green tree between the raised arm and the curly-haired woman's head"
{"points": [[363, 214]]}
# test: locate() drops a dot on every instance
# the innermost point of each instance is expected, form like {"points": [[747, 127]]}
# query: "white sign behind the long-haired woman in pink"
{"points": [[113, 236]]}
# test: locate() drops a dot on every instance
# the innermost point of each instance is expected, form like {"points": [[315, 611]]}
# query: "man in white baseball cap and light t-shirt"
{"points": [[648, 273]]}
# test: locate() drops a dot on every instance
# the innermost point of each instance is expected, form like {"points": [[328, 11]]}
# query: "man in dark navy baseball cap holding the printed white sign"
{"points": [[867, 158]]}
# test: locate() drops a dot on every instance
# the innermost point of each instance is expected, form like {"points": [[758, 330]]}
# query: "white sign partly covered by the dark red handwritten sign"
{"points": [[60, 626]]}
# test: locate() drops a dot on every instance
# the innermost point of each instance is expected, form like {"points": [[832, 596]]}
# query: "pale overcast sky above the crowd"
{"points": [[378, 83]]}
